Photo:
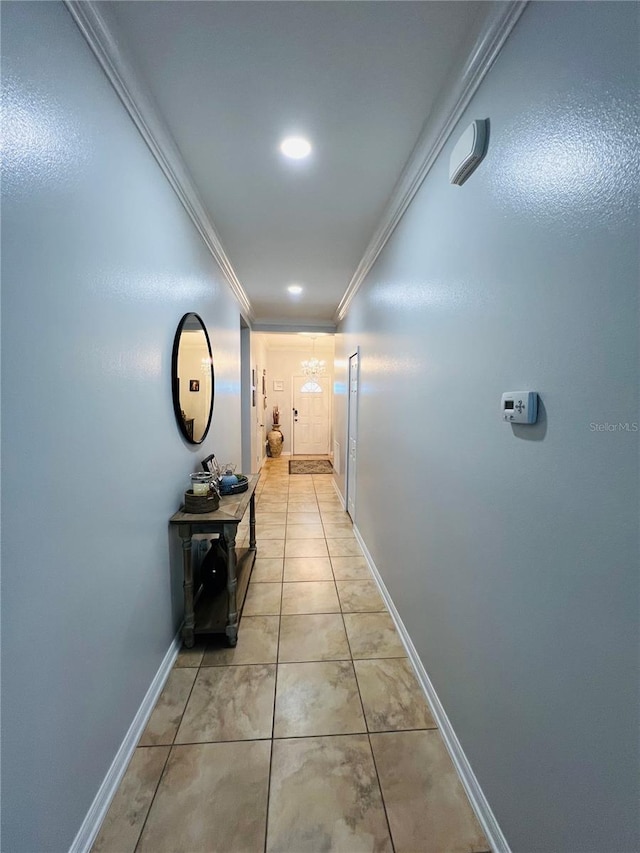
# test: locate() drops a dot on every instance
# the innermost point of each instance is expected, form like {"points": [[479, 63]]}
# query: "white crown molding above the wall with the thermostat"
{"points": [[434, 134]]}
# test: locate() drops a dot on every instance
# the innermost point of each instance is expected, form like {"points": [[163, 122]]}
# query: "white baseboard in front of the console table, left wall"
{"points": [[100, 805]]}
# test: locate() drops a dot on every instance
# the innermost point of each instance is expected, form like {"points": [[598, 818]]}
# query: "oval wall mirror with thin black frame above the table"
{"points": [[192, 378]]}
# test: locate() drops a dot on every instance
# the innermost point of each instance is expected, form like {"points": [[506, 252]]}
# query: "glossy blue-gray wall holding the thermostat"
{"points": [[512, 553]]}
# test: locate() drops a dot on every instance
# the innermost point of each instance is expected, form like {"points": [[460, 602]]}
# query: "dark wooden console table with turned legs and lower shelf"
{"points": [[219, 614]]}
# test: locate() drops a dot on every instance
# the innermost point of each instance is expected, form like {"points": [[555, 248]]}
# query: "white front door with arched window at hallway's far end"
{"points": [[310, 415]]}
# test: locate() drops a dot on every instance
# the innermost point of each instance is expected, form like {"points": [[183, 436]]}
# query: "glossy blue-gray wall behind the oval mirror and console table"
{"points": [[99, 262]]}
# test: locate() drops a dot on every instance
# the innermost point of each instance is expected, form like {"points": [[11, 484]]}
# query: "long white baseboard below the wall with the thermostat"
{"points": [[479, 802]]}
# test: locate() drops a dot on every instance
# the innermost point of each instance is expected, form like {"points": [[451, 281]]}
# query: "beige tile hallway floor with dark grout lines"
{"points": [[313, 733]]}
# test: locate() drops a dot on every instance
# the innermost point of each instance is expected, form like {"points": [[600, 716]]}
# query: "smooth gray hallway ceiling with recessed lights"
{"points": [[229, 80]]}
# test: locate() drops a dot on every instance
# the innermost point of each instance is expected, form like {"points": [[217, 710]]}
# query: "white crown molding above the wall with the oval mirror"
{"points": [[145, 116]]}
